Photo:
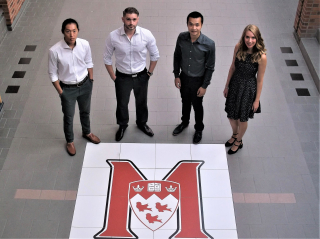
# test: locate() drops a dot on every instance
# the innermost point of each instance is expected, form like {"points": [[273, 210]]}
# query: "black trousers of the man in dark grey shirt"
{"points": [[188, 92]]}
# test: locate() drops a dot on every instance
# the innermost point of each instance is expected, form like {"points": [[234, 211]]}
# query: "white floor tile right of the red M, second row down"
{"points": [[215, 183]]}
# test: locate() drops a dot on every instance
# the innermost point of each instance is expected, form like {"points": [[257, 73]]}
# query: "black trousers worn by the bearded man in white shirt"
{"points": [[139, 85]]}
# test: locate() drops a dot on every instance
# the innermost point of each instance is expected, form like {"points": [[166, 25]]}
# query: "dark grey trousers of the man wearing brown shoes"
{"points": [[69, 97]]}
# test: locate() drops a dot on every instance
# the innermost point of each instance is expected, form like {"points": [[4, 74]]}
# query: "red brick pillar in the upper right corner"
{"points": [[307, 19]]}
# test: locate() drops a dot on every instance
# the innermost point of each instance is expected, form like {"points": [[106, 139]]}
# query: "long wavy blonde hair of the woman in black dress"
{"points": [[258, 48]]}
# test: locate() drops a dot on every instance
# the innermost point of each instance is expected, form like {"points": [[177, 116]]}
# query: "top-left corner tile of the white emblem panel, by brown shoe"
{"points": [[96, 155]]}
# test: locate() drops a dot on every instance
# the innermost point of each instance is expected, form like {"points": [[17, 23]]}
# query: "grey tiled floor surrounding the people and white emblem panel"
{"points": [[281, 146]]}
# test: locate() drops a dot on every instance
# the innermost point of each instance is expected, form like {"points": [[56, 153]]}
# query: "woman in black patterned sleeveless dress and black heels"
{"points": [[244, 84]]}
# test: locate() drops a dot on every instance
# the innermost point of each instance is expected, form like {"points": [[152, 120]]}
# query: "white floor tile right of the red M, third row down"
{"points": [[219, 213]]}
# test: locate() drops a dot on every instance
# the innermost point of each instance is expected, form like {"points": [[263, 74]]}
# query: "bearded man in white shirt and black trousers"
{"points": [[130, 45]]}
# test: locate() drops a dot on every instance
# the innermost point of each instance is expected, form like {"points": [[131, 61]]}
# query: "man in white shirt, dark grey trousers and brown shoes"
{"points": [[71, 73]]}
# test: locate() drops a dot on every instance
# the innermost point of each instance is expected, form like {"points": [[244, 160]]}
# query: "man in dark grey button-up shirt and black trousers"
{"points": [[194, 55]]}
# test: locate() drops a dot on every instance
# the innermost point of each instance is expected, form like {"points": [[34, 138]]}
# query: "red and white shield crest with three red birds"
{"points": [[154, 201]]}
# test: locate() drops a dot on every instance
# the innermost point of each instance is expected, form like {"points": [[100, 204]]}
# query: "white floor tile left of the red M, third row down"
{"points": [[89, 211]]}
